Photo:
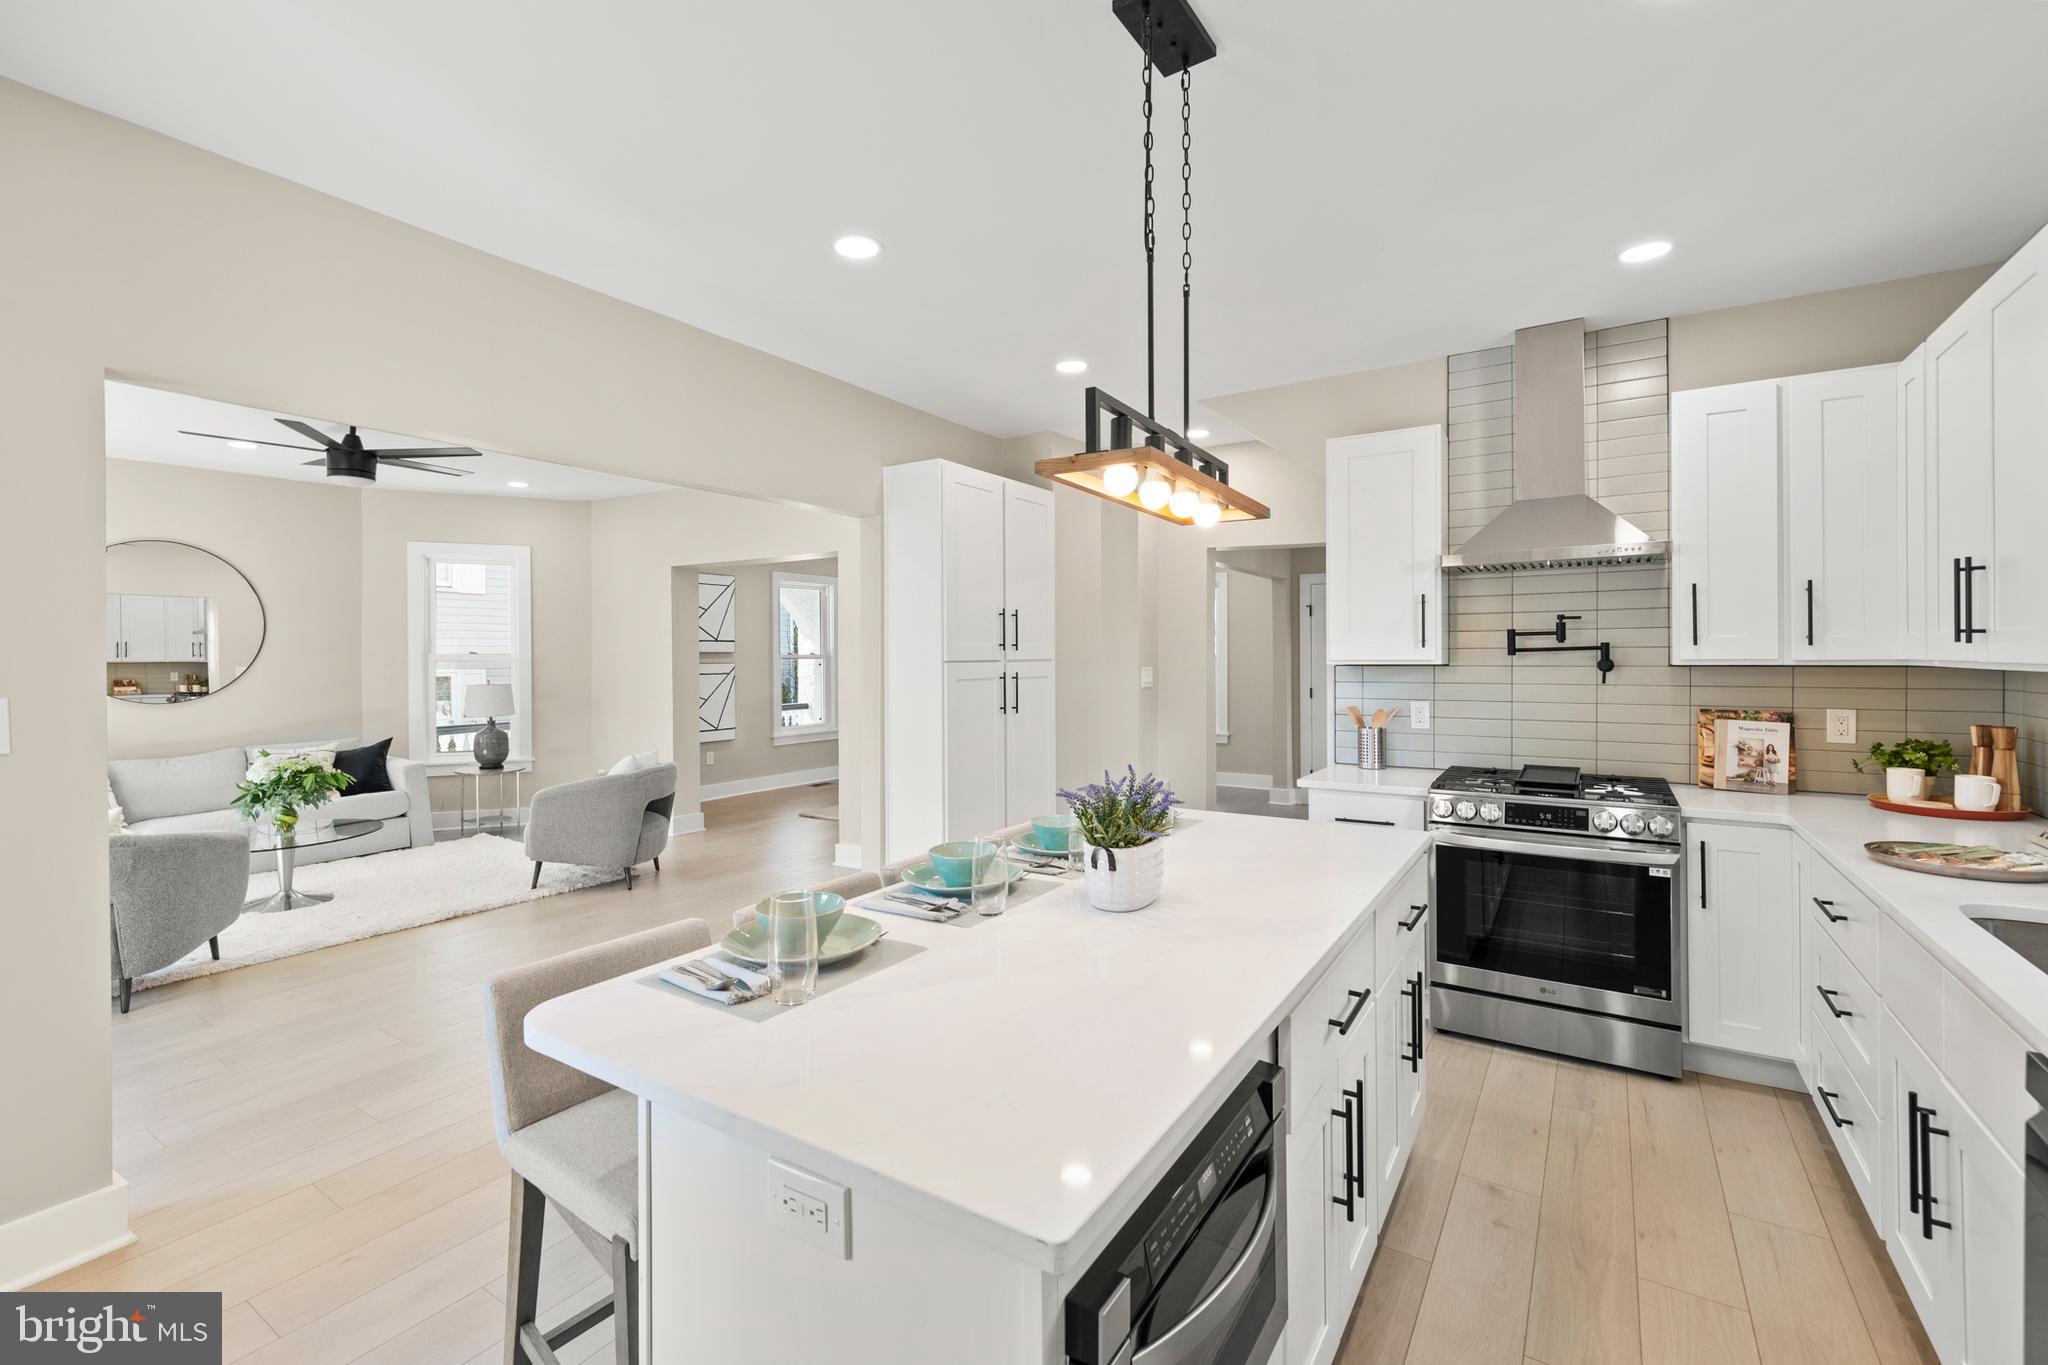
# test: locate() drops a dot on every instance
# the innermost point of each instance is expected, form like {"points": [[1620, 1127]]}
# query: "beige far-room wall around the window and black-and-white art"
{"points": [[751, 754]]}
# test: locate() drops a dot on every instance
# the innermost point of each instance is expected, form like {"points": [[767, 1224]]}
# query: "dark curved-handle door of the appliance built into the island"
{"points": [[1226, 1298]]}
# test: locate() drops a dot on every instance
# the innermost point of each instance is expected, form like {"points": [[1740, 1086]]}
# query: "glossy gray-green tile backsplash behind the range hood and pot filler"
{"points": [[1496, 711]]}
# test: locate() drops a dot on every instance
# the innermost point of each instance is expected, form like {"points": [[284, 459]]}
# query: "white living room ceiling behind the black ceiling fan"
{"points": [[144, 425]]}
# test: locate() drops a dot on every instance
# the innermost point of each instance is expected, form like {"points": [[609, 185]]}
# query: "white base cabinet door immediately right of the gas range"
{"points": [[1744, 940]]}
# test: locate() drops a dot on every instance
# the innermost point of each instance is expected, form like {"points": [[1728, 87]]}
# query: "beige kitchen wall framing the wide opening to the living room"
{"points": [[159, 263]]}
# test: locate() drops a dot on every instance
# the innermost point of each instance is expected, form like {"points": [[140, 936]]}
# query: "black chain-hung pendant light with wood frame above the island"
{"points": [[1168, 476]]}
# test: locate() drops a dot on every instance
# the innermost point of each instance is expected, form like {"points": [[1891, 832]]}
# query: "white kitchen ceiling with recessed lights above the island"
{"points": [[1375, 181]]}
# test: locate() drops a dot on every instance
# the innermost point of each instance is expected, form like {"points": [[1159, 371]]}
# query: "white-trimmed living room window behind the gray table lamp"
{"points": [[470, 621]]}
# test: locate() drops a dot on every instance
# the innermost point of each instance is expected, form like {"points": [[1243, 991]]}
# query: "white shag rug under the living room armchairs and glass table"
{"points": [[382, 893]]}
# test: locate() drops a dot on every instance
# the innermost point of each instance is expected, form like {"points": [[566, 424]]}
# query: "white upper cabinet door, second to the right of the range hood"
{"points": [[1846, 517]]}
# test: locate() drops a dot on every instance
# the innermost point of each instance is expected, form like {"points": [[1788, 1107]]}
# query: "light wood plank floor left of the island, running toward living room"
{"points": [[314, 1137]]}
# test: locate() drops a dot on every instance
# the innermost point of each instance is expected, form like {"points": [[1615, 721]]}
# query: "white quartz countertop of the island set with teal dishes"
{"points": [[1027, 1077]]}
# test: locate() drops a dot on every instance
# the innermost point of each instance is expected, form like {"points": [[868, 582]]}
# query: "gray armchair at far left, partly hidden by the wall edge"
{"points": [[169, 895]]}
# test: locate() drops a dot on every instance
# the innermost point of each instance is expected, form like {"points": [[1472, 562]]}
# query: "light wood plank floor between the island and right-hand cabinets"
{"points": [[1570, 1215]]}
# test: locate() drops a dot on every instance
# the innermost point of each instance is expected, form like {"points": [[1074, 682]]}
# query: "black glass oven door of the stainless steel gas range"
{"points": [[1566, 922]]}
